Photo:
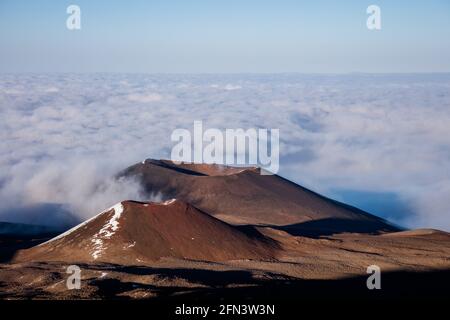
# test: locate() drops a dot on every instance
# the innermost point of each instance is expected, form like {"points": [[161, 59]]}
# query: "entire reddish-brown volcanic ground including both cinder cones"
{"points": [[303, 241]]}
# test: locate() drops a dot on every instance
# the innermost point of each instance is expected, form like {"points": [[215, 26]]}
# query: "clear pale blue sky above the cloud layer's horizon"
{"points": [[225, 36]]}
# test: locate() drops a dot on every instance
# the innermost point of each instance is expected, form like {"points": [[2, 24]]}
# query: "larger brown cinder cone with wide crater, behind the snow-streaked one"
{"points": [[244, 196]]}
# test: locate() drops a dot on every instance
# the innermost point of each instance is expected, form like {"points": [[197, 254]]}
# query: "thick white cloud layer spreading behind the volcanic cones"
{"points": [[63, 136]]}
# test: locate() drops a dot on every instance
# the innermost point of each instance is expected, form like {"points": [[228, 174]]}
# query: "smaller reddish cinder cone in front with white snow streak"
{"points": [[133, 232]]}
